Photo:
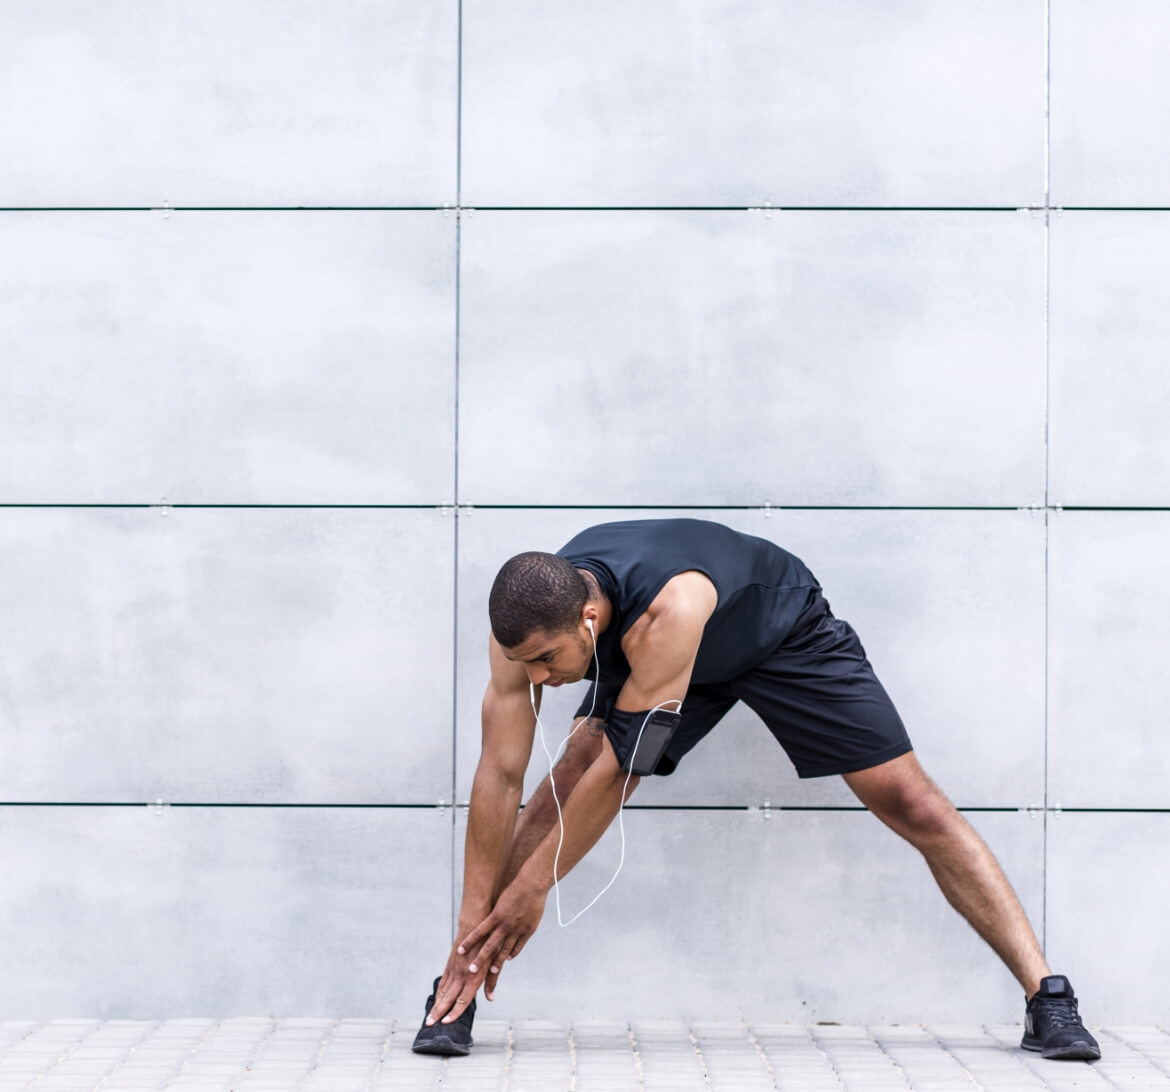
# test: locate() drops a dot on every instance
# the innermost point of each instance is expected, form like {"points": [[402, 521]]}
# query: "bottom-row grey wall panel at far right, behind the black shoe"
{"points": [[1107, 910]]}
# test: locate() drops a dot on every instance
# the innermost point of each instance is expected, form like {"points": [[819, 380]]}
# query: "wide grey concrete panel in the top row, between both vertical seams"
{"points": [[729, 102]]}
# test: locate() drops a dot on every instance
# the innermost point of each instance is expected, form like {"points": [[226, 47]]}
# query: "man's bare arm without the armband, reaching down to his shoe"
{"points": [[497, 793]]}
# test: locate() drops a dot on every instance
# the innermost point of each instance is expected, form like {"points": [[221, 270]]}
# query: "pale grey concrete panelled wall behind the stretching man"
{"points": [[312, 317]]}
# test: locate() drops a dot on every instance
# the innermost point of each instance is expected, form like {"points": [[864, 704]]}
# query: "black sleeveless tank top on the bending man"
{"points": [[762, 589]]}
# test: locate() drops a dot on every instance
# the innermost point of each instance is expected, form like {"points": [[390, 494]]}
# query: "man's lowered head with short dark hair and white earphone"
{"points": [[541, 615]]}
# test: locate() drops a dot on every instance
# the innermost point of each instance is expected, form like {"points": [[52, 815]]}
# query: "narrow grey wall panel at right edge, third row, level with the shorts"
{"points": [[1109, 688]]}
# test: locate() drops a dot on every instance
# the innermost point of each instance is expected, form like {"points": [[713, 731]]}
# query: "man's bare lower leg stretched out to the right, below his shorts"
{"points": [[907, 801]]}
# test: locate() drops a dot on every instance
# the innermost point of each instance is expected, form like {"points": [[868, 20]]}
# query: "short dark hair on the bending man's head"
{"points": [[535, 593]]}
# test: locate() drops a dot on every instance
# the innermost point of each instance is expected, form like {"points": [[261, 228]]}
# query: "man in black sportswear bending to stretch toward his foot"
{"points": [[662, 612]]}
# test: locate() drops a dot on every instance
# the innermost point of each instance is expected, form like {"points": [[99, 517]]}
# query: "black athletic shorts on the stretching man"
{"points": [[817, 695]]}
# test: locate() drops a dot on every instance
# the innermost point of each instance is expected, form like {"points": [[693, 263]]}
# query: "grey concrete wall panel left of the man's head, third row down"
{"points": [[226, 656]]}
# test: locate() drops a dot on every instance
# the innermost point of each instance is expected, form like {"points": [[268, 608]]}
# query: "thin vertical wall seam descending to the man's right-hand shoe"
{"points": [[1048, 415]]}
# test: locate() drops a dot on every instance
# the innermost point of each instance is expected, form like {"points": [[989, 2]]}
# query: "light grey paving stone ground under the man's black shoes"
{"points": [[532, 1056]]}
